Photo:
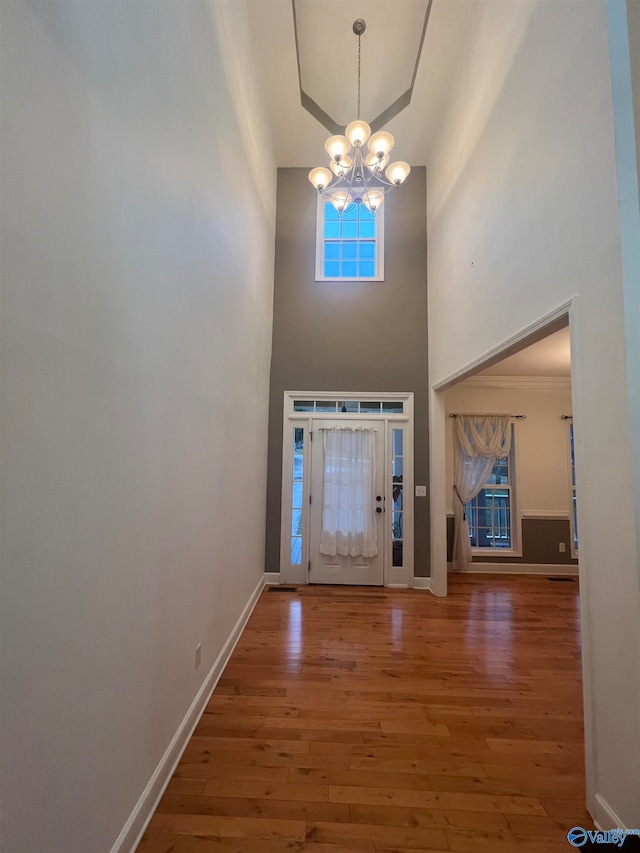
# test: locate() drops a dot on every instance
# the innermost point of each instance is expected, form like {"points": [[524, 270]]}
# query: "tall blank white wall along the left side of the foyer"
{"points": [[137, 264]]}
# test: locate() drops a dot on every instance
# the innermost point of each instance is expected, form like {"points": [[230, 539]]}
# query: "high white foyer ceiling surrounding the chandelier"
{"points": [[329, 65]]}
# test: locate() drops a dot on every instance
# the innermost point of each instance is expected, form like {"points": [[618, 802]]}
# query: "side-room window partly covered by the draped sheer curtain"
{"points": [[490, 514]]}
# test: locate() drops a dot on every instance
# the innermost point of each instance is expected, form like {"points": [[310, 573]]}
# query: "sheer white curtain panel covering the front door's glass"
{"points": [[348, 503]]}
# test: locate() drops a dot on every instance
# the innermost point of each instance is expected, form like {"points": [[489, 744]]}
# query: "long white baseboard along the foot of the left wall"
{"points": [[134, 828]]}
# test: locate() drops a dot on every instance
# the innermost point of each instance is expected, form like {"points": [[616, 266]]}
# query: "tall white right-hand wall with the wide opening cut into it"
{"points": [[522, 216]]}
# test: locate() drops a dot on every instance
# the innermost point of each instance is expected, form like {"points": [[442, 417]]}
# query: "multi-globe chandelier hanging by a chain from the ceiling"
{"points": [[359, 176]]}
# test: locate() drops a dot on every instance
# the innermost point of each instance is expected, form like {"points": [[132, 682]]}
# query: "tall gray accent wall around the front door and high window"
{"points": [[356, 336]]}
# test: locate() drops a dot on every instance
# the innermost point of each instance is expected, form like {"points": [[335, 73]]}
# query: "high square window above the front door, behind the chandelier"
{"points": [[349, 248]]}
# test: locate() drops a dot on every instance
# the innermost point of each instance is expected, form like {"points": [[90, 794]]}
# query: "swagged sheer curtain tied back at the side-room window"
{"points": [[480, 440]]}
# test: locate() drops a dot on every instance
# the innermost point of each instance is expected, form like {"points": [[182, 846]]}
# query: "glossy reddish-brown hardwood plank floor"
{"points": [[375, 720]]}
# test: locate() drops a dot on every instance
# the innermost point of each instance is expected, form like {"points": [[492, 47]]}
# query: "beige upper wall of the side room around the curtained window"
{"points": [[543, 473]]}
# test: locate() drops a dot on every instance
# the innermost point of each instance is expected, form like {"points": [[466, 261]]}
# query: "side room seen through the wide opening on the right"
{"points": [[521, 510]]}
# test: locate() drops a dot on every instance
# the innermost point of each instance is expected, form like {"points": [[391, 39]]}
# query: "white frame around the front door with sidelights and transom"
{"points": [[299, 574]]}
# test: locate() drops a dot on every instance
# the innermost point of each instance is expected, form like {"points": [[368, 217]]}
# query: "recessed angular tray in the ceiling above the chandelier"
{"points": [[327, 53]]}
